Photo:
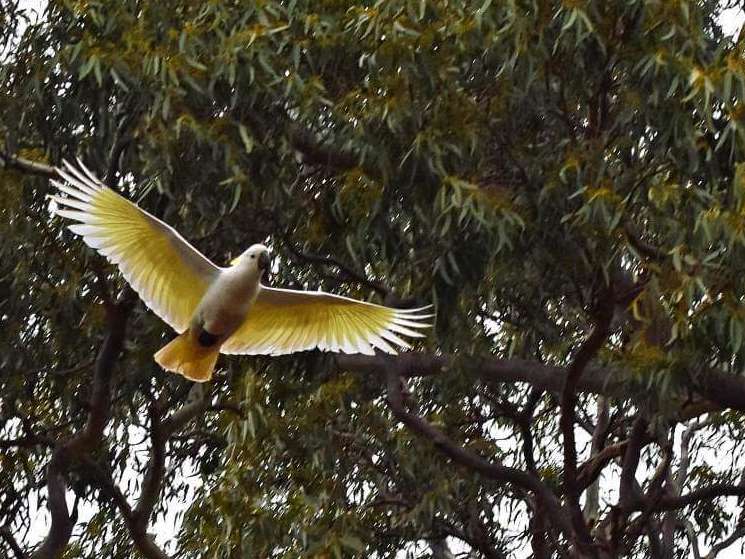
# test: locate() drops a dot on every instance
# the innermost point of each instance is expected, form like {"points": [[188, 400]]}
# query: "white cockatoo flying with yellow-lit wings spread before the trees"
{"points": [[220, 310]]}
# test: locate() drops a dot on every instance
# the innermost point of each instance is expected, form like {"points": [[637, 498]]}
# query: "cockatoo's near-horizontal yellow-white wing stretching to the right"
{"points": [[284, 321]]}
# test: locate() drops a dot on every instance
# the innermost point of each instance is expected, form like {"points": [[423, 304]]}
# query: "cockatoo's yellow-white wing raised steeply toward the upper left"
{"points": [[168, 273]]}
